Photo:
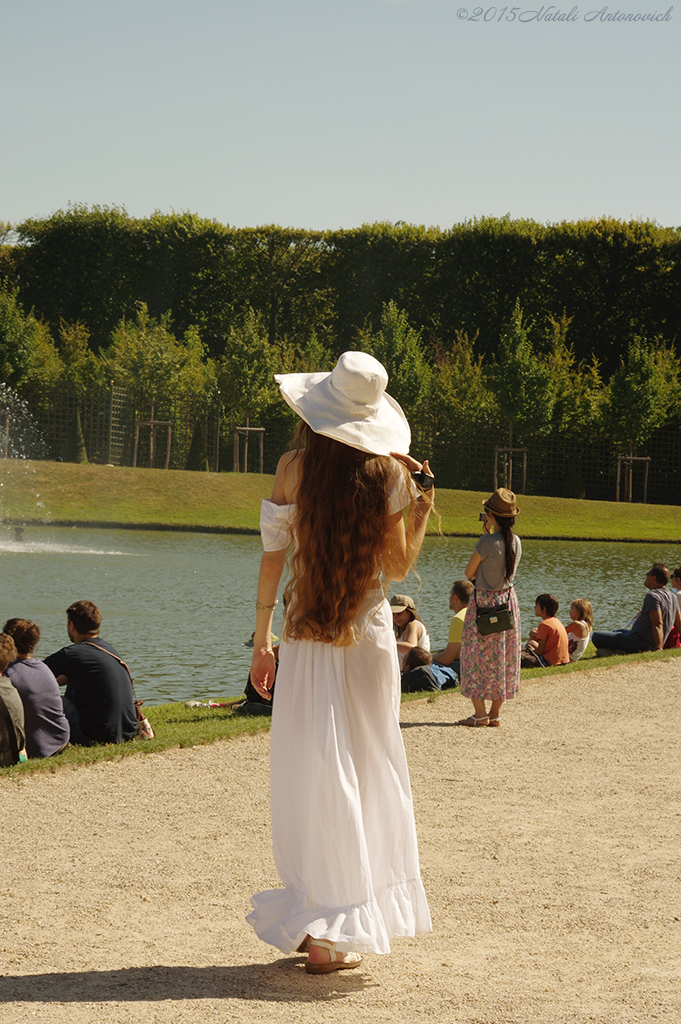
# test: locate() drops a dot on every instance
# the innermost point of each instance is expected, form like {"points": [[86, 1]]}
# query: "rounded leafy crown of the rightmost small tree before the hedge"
{"points": [[642, 393]]}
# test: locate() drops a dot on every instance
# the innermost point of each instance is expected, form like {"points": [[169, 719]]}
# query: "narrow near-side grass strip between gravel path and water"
{"points": [[177, 726]]}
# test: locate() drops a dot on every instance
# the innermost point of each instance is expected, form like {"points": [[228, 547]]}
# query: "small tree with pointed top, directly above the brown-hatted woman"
{"points": [[522, 382]]}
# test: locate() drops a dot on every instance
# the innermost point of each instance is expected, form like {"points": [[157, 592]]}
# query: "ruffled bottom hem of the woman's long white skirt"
{"points": [[283, 919]]}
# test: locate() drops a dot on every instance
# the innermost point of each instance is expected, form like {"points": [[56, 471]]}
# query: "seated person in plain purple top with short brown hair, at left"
{"points": [[47, 727]]}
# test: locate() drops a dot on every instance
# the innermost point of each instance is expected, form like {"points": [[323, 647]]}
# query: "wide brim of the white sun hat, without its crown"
{"points": [[379, 430]]}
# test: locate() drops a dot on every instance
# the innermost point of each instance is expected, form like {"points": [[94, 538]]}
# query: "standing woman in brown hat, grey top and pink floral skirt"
{"points": [[491, 665]]}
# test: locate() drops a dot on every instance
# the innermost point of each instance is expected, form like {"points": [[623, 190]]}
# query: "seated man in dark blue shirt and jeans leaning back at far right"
{"points": [[654, 624]]}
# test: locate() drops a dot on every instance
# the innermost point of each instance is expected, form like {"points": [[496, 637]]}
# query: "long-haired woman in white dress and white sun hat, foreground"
{"points": [[344, 832]]}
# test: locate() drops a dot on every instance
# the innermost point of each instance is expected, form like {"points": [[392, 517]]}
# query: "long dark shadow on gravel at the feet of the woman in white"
{"points": [[284, 980]]}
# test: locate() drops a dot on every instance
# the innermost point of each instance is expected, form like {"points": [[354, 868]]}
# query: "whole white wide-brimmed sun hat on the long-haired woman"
{"points": [[350, 405]]}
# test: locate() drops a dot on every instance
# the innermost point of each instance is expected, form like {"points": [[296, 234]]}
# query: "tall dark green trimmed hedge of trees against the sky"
{"points": [[613, 281]]}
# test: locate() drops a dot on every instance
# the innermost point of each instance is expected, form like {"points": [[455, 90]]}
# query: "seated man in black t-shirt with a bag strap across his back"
{"points": [[99, 701]]}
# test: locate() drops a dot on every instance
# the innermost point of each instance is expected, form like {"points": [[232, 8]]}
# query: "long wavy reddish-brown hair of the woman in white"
{"points": [[340, 530]]}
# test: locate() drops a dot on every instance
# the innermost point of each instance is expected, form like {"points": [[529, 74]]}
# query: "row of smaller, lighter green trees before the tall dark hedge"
{"points": [[447, 392]]}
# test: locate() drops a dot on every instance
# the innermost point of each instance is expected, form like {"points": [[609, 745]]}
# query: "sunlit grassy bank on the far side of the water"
{"points": [[65, 494]]}
